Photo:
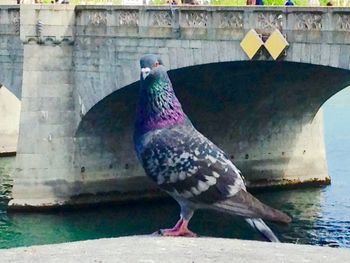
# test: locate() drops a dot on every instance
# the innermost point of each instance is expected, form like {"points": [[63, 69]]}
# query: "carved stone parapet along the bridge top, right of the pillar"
{"points": [[214, 23]]}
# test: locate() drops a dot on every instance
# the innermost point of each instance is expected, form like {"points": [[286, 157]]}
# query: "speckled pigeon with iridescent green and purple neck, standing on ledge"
{"points": [[184, 163]]}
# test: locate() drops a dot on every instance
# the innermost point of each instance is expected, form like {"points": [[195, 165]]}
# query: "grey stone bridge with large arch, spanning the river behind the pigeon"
{"points": [[75, 70]]}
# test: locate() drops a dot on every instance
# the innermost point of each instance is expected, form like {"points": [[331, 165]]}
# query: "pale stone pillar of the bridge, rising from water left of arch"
{"points": [[47, 123]]}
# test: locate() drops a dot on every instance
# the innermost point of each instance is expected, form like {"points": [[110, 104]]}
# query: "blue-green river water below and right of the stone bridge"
{"points": [[321, 216]]}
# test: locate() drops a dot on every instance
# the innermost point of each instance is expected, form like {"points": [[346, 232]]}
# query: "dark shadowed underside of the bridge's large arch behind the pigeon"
{"points": [[255, 110]]}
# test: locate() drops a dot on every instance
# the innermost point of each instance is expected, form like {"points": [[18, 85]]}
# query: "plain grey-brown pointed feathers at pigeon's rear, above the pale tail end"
{"points": [[246, 205]]}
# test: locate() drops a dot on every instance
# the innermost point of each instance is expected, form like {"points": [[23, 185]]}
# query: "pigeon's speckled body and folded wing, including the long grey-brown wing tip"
{"points": [[195, 171]]}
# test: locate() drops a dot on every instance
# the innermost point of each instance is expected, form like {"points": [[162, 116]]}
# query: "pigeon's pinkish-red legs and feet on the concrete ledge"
{"points": [[181, 227]]}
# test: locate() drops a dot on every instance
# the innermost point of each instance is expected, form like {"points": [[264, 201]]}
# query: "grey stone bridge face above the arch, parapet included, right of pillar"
{"points": [[188, 37]]}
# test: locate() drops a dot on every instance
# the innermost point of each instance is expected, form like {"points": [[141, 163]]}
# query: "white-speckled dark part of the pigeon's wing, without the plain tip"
{"points": [[186, 164]]}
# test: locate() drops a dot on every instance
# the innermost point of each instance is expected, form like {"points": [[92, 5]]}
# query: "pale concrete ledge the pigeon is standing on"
{"points": [[192, 250]]}
